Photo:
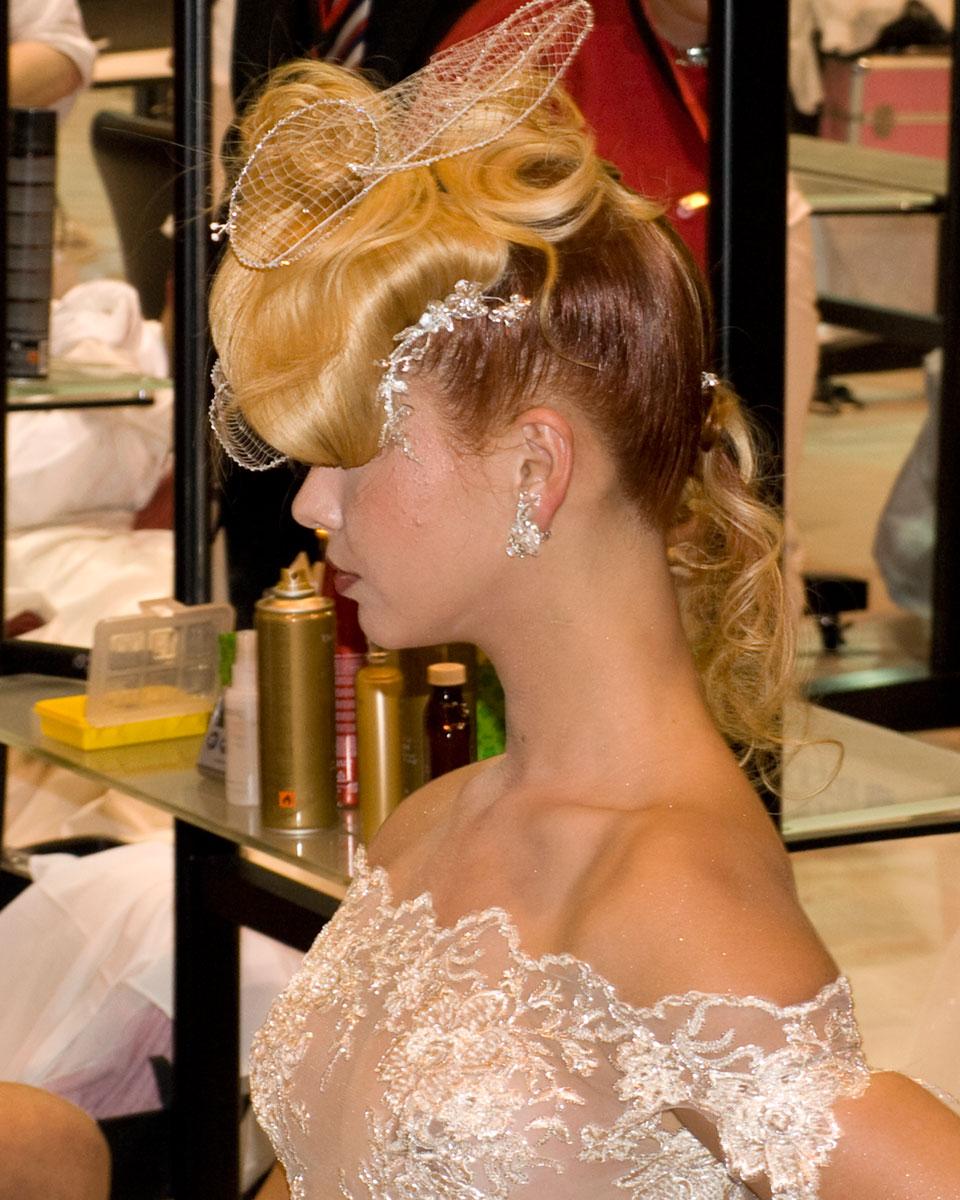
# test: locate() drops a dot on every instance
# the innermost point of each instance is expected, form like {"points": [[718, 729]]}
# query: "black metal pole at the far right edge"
{"points": [[945, 646]]}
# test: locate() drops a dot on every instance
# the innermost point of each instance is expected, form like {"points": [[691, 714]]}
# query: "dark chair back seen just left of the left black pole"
{"points": [[137, 165]]}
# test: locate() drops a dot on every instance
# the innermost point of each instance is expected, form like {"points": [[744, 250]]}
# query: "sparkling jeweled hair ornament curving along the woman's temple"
{"points": [[465, 303]]}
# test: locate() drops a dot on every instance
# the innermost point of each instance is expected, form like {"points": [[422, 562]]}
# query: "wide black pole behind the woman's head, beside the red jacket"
{"points": [[748, 207]]}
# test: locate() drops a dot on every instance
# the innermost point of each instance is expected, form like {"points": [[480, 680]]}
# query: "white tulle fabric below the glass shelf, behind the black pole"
{"points": [[91, 946]]}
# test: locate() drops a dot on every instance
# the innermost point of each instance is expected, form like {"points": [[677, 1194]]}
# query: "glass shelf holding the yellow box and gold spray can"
{"points": [[165, 775]]}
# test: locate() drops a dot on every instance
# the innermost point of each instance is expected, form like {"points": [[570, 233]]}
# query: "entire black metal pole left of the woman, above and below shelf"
{"points": [[206, 1102]]}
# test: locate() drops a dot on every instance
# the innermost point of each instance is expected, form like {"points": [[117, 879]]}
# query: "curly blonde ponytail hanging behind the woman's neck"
{"points": [[725, 553]]}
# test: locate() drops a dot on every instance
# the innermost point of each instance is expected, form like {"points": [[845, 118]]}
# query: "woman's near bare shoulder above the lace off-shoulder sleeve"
{"points": [[699, 901]]}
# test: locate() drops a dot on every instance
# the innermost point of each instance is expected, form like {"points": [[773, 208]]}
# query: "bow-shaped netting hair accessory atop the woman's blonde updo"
{"points": [[317, 163]]}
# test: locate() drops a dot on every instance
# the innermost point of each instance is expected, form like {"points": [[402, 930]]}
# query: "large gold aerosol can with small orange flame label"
{"points": [[296, 640]]}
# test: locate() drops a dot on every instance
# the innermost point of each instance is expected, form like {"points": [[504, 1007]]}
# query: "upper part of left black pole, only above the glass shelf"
{"points": [[191, 343]]}
